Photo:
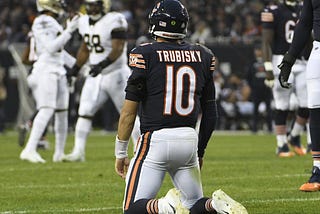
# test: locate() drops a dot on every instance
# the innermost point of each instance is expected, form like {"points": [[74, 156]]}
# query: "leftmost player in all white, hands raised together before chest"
{"points": [[52, 93]]}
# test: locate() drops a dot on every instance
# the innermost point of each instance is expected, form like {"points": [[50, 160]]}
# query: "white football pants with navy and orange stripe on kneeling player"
{"points": [[172, 150]]}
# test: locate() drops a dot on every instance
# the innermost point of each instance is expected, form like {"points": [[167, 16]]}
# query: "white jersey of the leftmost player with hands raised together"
{"points": [[49, 39]]}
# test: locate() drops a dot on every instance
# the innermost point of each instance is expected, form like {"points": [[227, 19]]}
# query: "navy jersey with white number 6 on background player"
{"points": [[282, 21]]}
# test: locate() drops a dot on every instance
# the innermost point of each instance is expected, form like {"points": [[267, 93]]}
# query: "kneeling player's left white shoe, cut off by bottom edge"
{"points": [[171, 203]]}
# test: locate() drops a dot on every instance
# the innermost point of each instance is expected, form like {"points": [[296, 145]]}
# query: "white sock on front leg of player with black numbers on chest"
{"points": [[83, 127]]}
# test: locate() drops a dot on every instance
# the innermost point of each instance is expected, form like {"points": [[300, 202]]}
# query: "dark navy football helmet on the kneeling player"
{"points": [[168, 19]]}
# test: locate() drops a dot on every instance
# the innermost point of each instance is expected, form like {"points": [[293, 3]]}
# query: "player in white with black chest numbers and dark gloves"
{"points": [[104, 45]]}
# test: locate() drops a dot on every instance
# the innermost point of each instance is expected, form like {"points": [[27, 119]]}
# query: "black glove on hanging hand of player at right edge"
{"points": [[285, 70]]}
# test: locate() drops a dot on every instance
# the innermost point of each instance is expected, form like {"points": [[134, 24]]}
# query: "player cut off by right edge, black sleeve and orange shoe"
{"points": [[309, 21]]}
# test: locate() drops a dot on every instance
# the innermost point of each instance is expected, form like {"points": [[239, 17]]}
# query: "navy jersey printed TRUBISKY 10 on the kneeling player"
{"points": [[177, 80]]}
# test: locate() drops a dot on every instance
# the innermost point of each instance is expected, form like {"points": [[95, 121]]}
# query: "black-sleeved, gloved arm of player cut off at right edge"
{"points": [[302, 34]]}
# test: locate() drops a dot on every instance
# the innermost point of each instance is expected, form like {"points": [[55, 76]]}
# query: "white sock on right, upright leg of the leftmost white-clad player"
{"points": [[61, 131]]}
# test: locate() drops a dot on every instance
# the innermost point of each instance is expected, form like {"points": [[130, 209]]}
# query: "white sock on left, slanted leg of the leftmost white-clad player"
{"points": [[39, 124]]}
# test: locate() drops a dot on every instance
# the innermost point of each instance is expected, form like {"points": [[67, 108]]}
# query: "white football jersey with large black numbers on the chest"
{"points": [[98, 38]]}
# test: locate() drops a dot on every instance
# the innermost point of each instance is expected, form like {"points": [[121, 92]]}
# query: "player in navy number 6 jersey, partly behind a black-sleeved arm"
{"points": [[278, 22]]}
